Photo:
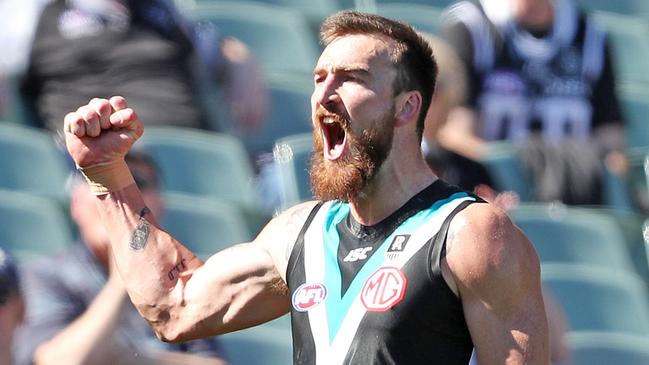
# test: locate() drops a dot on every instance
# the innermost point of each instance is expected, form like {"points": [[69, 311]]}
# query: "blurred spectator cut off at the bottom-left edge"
{"points": [[12, 308]]}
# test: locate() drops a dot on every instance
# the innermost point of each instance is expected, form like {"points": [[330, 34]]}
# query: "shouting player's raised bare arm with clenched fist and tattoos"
{"points": [[182, 297]]}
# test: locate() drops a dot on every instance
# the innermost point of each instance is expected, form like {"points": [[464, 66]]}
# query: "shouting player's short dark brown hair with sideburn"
{"points": [[413, 56]]}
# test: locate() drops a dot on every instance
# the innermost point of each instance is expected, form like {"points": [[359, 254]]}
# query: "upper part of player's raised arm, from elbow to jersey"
{"points": [[245, 285]]}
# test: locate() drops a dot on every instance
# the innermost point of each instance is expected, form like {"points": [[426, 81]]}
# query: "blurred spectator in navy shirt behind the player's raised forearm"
{"points": [[77, 308]]}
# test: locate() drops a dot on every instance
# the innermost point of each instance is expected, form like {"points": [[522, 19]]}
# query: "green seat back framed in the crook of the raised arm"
{"points": [[205, 226]]}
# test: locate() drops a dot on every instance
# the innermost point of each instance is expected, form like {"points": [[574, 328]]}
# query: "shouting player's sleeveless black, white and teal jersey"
{"points": [[375, 294]]}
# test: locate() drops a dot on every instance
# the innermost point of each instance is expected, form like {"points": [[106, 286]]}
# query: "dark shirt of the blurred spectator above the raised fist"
{"points": [[142, 53]]}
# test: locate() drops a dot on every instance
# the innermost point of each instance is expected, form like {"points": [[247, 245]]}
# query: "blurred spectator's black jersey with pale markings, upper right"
{"points": [[558, 83]]}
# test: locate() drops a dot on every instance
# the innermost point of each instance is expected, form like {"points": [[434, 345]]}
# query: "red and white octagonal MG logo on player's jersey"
{"points": [[385, 288]]}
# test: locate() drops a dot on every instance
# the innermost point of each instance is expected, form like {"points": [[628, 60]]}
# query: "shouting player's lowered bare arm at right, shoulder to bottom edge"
{"points": [[496, 273]]}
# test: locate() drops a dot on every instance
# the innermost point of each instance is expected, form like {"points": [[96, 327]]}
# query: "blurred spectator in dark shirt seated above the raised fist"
{"points": [[145, 51]]}
